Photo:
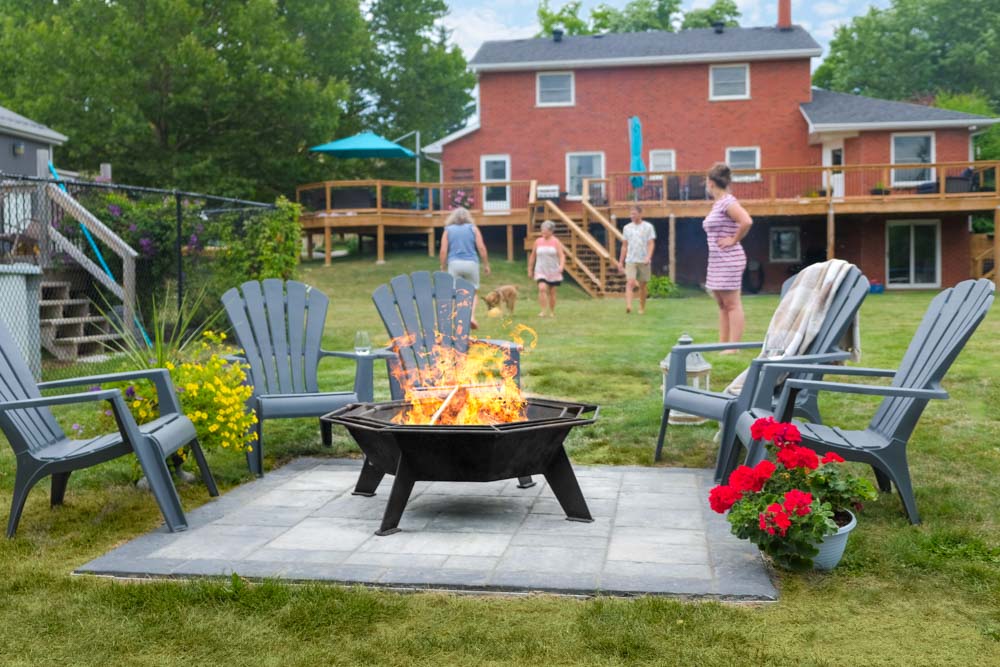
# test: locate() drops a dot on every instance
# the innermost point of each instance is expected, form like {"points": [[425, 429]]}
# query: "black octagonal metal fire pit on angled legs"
{"points": [[445, 453]]}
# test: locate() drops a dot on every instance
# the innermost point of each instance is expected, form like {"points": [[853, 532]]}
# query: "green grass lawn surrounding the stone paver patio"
{"points": [[924, 595]]}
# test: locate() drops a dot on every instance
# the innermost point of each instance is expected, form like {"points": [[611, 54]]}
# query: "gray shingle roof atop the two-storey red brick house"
{"points": [[665, 46]]}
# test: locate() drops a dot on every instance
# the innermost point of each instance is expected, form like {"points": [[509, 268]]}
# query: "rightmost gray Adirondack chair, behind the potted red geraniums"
{"points": [[950, 321]]}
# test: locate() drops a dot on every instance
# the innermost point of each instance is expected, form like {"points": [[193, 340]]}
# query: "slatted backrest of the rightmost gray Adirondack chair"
{"points": [[950, 321]]}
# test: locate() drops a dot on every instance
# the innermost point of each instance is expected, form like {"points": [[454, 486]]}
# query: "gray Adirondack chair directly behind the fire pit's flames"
{"points": [[423, 313]]}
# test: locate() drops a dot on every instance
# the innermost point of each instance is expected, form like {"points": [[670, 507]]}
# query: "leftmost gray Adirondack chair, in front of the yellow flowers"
{"points": [[42, 448]]}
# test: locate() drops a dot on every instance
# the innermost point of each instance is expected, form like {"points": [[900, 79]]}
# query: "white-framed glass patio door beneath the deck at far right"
{"points": [[913, 253]]}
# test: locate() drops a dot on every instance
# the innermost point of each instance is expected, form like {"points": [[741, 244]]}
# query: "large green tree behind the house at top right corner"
{"points": [[917, 48]]}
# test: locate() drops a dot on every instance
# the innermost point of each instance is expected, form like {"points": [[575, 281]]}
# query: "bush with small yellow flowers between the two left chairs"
{"points": [[212, 393]]}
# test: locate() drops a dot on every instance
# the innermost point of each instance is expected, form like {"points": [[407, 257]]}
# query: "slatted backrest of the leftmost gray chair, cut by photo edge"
{"points": [[27, 430]]}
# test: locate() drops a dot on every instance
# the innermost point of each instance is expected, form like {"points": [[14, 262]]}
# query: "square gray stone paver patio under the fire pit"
{"points": [[653, 533]]}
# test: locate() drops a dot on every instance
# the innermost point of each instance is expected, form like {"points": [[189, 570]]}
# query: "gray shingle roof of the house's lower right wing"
{"points": [[843, 109]]}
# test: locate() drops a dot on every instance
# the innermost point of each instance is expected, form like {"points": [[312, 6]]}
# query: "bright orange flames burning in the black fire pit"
{"points": [[461, 389]]}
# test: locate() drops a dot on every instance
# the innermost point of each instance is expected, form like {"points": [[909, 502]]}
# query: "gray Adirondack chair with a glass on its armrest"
{"points": [[279, 326]]}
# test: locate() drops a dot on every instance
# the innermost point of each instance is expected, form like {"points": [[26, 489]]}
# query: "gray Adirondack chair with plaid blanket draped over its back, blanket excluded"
{"points": [[726, 408]]}
